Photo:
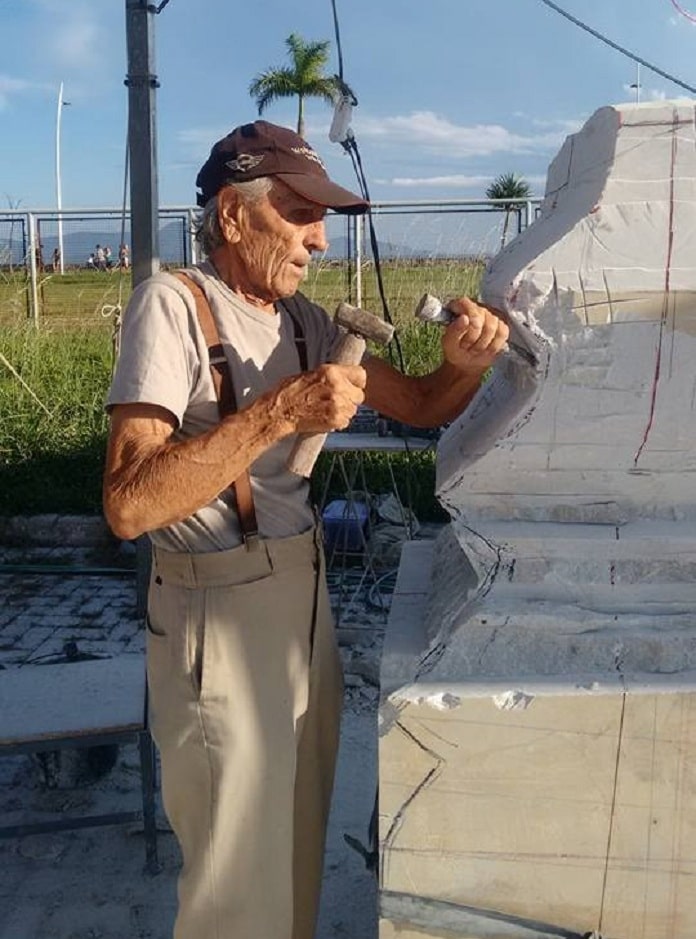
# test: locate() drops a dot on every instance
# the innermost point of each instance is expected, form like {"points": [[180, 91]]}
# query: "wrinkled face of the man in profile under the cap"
{"points": [[278, 234]]}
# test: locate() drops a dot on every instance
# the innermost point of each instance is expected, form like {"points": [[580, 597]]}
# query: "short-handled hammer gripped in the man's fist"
{"points": [[357, 325]]}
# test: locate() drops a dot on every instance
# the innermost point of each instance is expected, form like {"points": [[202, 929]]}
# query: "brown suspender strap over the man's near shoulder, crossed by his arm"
{"points": [[227, 404]]}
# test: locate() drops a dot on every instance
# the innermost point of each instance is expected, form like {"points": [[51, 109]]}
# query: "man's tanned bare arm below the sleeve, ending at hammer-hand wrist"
{"points": [[150, 482]]}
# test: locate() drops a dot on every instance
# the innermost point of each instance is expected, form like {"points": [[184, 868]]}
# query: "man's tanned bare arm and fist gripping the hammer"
{"points": [[151, 480]]}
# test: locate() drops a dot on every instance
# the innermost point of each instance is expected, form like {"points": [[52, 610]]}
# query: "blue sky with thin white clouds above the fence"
{"points": [[451, 92]]}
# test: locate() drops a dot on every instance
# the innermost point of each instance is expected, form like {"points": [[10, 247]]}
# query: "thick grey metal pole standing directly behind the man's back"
{"points": [[142, 83]]}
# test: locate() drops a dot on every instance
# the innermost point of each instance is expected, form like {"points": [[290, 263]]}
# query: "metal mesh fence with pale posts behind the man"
{"points": [[37, 247]]}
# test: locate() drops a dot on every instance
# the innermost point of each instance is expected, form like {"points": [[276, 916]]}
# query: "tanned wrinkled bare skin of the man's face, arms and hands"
{"points": [[152, 480]]}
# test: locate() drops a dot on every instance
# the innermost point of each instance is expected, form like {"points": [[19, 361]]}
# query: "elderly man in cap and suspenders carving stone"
{"points": [[221, 367]]}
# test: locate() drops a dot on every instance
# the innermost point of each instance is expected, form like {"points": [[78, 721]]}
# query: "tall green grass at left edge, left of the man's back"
{"points": [[52, 426]]}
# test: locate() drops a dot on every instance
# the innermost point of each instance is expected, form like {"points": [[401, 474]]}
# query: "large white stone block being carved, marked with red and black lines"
{"points": [[538, 715]]}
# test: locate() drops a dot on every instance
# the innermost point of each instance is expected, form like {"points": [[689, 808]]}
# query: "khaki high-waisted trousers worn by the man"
{"points": [[245, 696]]}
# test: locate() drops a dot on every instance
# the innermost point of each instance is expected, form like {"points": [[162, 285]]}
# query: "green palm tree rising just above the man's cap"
{"points": [[305, 78]]}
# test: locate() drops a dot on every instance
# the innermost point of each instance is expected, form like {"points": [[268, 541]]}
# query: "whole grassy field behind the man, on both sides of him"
{"points": [[54, 378]]}
